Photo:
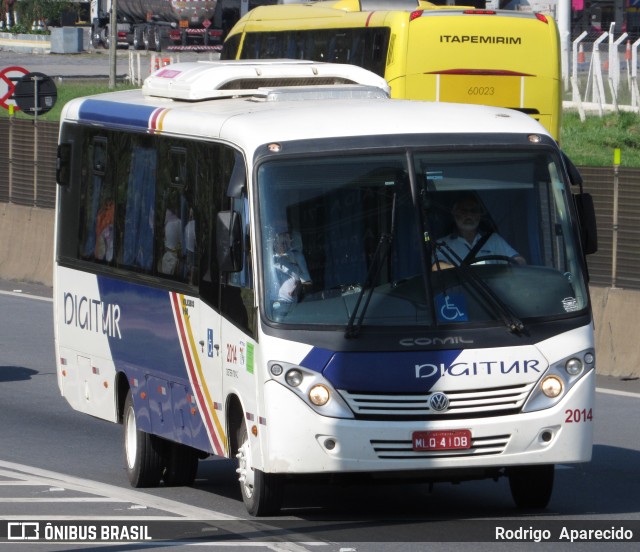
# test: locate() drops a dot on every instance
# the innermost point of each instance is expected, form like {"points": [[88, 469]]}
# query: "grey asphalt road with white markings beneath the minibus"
{"points": [[56, 463]]}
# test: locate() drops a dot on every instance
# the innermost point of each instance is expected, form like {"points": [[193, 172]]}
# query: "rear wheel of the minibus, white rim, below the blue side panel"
{"points": [[143, 452]]}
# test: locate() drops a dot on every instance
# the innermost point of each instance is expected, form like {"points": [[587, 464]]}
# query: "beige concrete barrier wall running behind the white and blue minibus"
{"points": [[26, 254]]}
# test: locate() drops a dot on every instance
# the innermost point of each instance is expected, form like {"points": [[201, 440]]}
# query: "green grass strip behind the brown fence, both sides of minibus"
{"points": [[588, 143]]}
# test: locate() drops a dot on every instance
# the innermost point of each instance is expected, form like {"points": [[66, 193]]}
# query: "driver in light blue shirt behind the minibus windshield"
{"points": [[467, 244]]}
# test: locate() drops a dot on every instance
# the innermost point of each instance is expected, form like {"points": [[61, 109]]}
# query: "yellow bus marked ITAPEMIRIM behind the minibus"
{"points": [[425, 52]]}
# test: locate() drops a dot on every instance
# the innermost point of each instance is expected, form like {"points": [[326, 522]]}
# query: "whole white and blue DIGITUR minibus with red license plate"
{"points": [[255, 260]]}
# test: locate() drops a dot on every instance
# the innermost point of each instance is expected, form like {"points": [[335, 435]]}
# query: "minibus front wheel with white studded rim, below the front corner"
{"points": [[261, 492]]}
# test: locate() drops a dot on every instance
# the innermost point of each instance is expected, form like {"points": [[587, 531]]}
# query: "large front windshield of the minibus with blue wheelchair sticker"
{"points": [[446, 238]]}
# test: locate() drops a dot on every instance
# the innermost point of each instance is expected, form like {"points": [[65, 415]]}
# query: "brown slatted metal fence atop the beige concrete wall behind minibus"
{"points": [[28, 167]]}
